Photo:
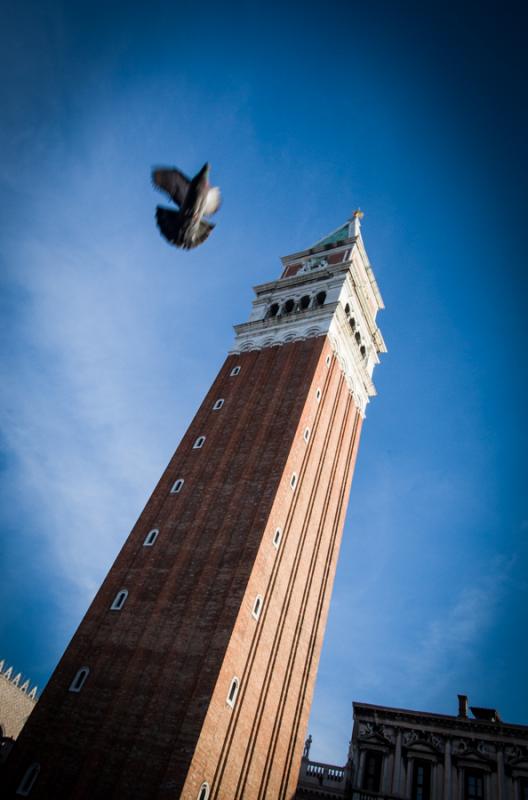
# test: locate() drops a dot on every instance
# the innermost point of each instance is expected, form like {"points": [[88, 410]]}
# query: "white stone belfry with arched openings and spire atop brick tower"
{"points": [[328, 290]]}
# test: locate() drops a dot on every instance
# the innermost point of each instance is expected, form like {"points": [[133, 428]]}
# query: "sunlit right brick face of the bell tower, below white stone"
{"points": [[254, 750]]}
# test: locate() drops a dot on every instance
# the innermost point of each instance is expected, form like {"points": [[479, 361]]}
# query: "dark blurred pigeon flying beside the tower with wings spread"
{"points": [[196, 198]]}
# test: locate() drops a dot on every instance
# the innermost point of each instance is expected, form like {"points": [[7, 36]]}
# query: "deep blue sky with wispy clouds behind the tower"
{"points": [[416, 113]]}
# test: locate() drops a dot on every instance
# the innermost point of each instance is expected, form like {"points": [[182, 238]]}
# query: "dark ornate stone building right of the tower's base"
{"points": [[396, 754]]}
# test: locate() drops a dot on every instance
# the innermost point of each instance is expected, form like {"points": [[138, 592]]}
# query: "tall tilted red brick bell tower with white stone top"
{"points": [[191, 675]]}
